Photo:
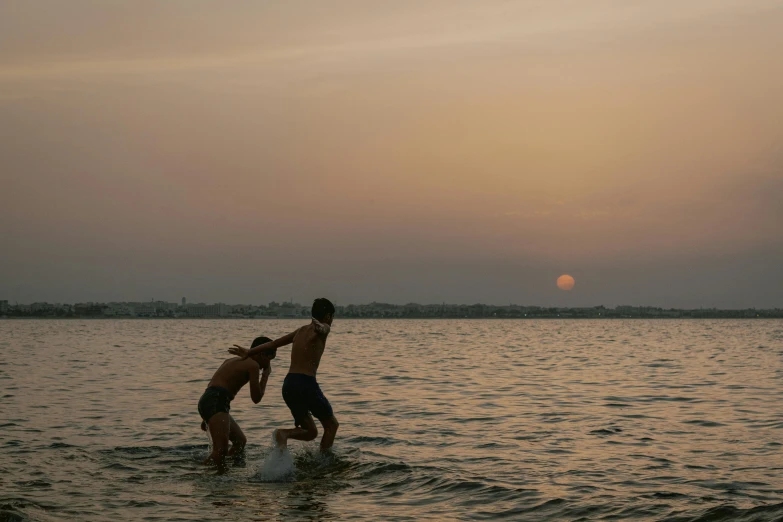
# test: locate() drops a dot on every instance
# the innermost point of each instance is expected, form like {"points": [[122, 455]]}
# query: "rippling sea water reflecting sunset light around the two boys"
{"points": [[677, 420]]}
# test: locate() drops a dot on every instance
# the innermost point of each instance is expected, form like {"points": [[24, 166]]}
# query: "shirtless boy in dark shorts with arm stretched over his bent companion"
{"points": [[300, 389]]}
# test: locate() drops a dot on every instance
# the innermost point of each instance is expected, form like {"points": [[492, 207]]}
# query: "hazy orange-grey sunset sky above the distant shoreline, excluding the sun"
{"points": [[408, 151]]}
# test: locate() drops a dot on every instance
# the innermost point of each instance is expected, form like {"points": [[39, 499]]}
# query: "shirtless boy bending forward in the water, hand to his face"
{"points": [[214, 404]]}
